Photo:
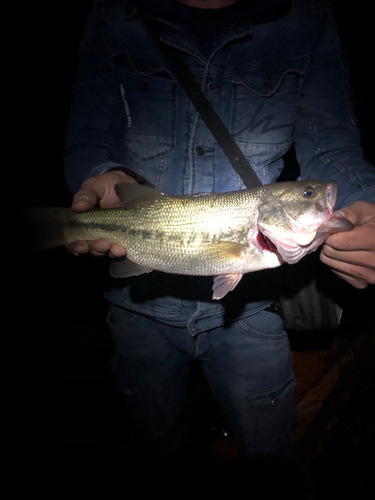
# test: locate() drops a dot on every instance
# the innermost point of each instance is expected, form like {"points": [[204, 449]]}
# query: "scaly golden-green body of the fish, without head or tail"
{"points": [[199, 235]]}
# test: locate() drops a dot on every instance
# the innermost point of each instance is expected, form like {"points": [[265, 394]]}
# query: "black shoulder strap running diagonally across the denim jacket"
{"points": [[210, 117]]}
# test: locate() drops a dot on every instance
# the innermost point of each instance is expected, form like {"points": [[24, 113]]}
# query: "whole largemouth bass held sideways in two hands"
{"points": [[223, 235]]}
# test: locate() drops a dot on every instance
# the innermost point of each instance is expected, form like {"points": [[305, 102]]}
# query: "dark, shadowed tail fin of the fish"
{"points": [[38, 229]]}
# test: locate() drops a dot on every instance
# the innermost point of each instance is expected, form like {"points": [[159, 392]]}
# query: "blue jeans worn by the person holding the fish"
{"points": [[248, 367]]}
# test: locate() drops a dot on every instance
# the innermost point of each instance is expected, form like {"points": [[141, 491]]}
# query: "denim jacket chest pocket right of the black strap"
{"points": [[264, 104]]}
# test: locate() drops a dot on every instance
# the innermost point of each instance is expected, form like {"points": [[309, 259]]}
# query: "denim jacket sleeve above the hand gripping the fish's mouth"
{"points": [[326, 136]]}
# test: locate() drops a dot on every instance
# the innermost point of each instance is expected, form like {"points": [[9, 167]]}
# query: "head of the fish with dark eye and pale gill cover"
{"points": [[297, 217]]}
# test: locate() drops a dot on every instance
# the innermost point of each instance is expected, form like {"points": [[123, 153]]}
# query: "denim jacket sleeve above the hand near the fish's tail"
{"points": [[96, 97]]}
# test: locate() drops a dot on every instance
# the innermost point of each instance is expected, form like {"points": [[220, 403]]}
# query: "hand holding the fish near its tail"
{"points": [[99, 192]]}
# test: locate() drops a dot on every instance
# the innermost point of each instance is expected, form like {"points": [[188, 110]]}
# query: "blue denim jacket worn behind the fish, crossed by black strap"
{"points": [[275, 76]]}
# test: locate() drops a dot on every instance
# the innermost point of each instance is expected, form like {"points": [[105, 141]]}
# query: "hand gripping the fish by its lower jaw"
{"points": [[351, 255]]}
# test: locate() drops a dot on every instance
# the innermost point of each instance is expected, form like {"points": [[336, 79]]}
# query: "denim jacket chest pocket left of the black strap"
{"points": [[149, 100]]}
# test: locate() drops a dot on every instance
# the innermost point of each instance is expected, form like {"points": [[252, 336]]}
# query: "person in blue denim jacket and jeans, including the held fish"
{"points": [[273, 71]]}
